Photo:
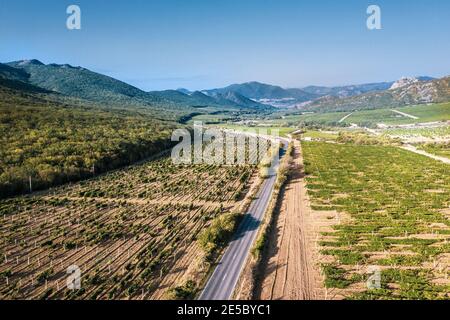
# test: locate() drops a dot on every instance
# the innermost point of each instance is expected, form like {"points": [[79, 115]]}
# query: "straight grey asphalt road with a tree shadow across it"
{"points": [[226, 275]]}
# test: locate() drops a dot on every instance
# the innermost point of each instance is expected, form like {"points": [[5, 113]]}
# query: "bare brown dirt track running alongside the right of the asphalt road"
{"points": [[291, 270]]}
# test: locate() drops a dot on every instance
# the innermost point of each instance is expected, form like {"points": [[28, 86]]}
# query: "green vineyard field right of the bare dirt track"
{"points": [[395, 200]]}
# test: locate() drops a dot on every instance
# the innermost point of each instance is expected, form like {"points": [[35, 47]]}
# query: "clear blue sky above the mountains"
{"points": [[197, 44]]}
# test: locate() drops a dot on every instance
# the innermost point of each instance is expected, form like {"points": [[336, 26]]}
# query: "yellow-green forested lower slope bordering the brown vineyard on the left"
{"points": [[55, 142]]}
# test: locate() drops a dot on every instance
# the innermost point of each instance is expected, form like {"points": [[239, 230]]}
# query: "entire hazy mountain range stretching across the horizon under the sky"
{"points": [[81, 83]]}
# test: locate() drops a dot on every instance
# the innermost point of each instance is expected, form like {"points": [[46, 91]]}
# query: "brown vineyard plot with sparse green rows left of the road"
{"points": [[131, 233]]}
